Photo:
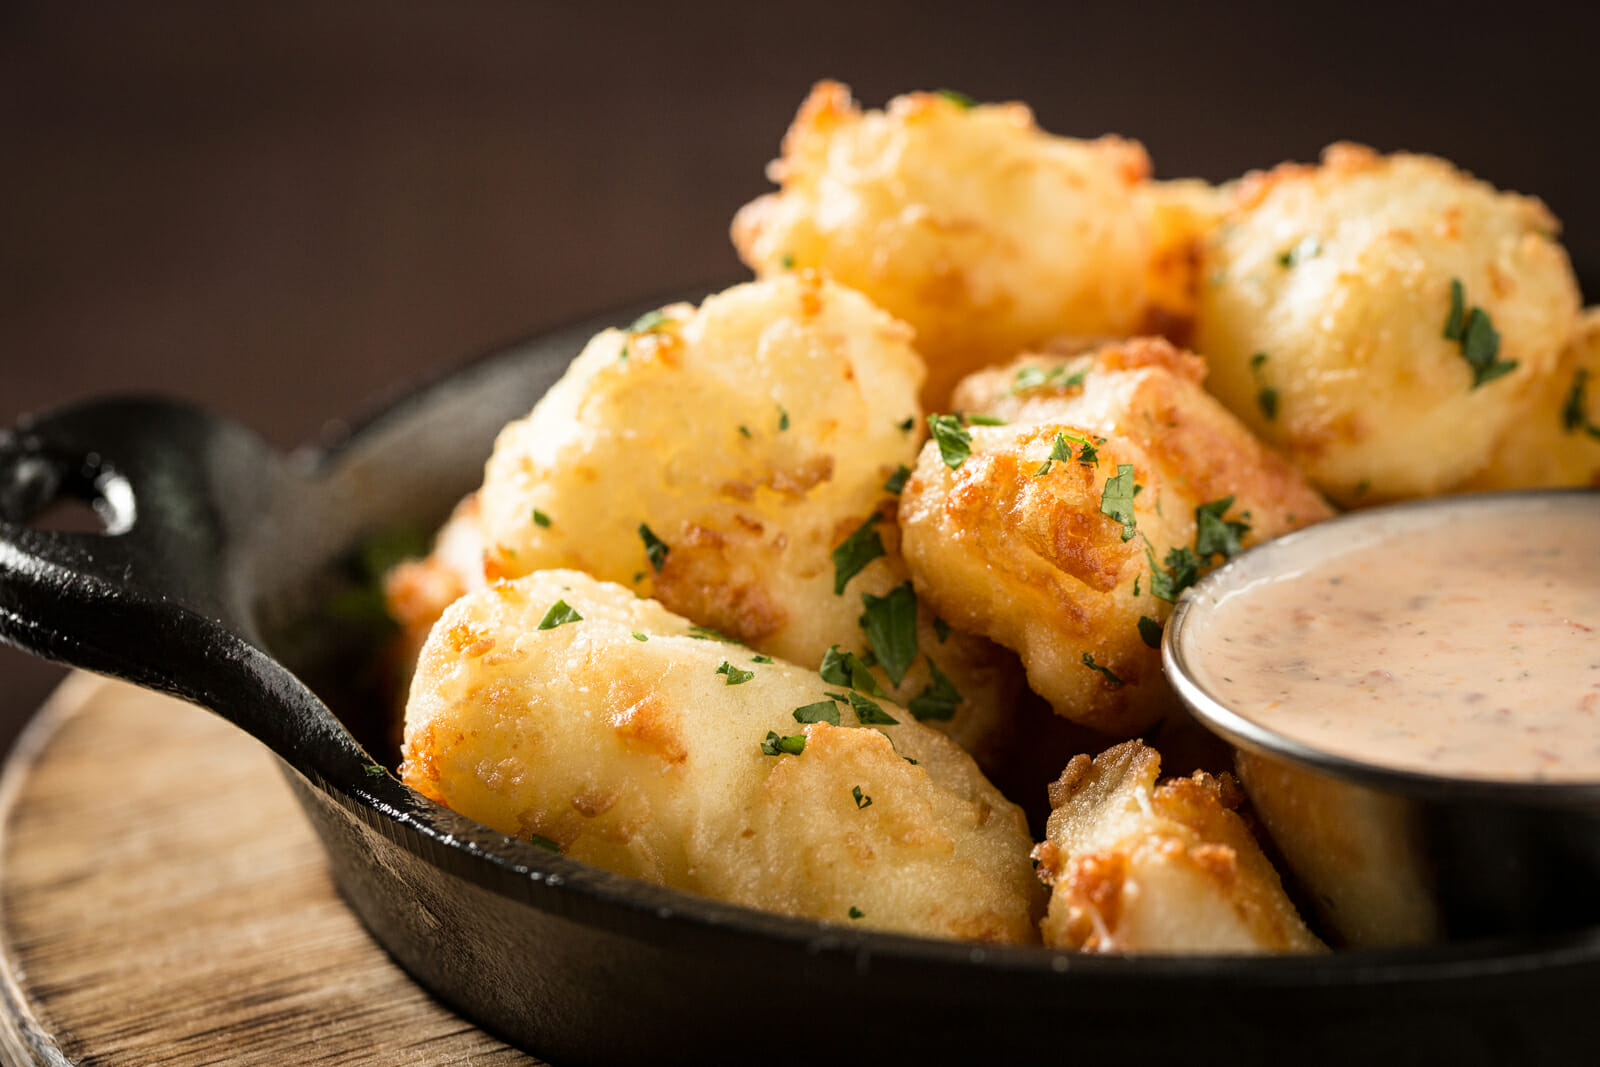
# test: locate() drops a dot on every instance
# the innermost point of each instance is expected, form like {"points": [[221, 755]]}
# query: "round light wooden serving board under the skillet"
{"points": [[162, 901]]}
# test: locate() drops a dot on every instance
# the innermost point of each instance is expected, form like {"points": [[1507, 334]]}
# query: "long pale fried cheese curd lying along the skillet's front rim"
{"points": [[572, 709]]}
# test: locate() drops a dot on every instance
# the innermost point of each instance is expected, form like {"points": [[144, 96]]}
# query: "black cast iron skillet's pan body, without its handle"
{"points": [[583, 965]]}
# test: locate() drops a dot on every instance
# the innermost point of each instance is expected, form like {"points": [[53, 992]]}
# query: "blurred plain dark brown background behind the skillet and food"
{"points": [[287, 212]]}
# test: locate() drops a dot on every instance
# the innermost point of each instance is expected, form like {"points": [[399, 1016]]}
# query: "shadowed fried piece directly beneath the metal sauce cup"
{"points": [[1356, 852]]}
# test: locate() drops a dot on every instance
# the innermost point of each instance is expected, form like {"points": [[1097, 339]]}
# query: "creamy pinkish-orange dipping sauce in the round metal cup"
{"points": [[1452, 641]]}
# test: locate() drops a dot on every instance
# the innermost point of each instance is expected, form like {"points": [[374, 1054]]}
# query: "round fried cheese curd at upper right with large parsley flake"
{"points": [[1383, 319]]}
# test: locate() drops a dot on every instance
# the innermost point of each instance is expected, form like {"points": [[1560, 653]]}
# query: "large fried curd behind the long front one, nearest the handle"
{"points": [[732, 463]]}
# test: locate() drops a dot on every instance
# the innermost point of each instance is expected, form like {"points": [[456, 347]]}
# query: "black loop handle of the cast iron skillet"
{"points": [[162, 596]]}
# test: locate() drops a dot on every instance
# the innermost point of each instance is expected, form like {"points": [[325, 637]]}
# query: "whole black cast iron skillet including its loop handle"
{"points": [[210, 585]]}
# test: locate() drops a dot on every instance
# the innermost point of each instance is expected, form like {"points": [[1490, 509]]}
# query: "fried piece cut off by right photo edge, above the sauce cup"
{"points": [[1558, 442]]}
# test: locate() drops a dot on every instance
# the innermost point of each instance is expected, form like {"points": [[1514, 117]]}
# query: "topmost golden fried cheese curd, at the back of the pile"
{"points": [[966, 222]]}
